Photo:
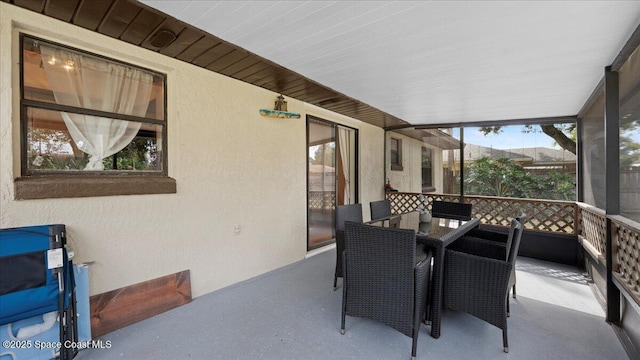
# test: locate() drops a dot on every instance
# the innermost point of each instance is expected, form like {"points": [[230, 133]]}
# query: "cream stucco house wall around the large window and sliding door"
{"points": [[232, 167]]}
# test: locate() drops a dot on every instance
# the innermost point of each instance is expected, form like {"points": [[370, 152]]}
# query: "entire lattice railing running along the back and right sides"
{"points": [[588, 222]]}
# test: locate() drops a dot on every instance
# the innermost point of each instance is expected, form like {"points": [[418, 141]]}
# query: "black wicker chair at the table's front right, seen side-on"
{"points": [[478, 283]]}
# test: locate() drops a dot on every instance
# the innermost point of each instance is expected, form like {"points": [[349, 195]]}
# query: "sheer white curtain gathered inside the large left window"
{"points": [[91, 83]]}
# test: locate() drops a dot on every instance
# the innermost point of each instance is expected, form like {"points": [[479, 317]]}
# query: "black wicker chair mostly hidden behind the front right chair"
{"points": [[489, 238]]}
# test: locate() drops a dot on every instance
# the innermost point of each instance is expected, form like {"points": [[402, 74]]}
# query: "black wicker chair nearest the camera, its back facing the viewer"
{"points": [[384, 279]]}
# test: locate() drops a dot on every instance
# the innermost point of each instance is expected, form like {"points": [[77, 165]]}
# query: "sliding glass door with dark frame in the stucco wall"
{"points": [[331, 177]]}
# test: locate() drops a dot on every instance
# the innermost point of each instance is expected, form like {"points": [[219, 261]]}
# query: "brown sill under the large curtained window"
{"points": [[50, 187]]}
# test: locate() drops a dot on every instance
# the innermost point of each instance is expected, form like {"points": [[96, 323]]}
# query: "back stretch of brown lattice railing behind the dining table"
{"points": [[542, 215]]}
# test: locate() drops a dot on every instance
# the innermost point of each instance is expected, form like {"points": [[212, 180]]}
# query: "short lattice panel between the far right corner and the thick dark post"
{"points": [[593, 228]]}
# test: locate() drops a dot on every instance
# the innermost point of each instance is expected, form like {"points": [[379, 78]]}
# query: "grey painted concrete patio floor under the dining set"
{"points": [[292, 313]]}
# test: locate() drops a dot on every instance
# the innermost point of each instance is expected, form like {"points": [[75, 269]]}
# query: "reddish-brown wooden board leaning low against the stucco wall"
{"points": [[121, 307]]}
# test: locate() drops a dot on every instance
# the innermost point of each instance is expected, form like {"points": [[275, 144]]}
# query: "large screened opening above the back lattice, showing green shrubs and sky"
{"points": [[521, 161]]}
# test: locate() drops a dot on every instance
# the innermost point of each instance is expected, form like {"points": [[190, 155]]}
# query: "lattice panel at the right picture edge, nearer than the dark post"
{"points": [[626, 268]]}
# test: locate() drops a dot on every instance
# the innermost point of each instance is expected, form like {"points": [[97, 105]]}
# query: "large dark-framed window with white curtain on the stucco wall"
{"points": [[84, 114]]}
